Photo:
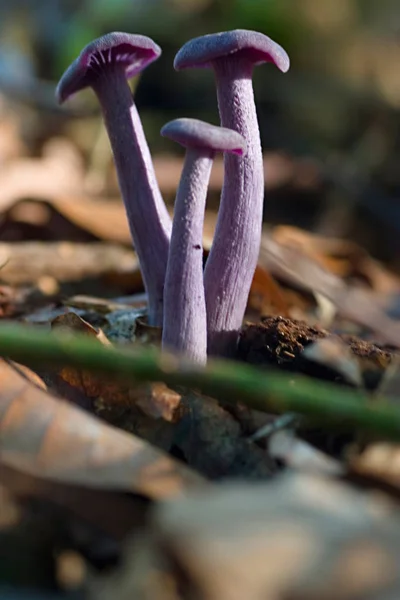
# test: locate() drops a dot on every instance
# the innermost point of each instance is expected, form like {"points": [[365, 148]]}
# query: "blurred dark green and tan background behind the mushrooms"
{"points": [[330, 127]]}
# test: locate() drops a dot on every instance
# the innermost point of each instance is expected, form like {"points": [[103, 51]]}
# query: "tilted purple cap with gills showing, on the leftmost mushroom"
{"points": [[135, 52]]}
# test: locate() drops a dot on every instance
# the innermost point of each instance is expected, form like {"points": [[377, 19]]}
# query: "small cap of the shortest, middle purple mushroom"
{"points": [[193, 133]]}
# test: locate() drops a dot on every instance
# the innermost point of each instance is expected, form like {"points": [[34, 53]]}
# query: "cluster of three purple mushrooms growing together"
{"points": [[199, 310]]}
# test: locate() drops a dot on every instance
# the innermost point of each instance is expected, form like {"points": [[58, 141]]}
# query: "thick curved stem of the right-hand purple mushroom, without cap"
{"points": [[233, 257]]}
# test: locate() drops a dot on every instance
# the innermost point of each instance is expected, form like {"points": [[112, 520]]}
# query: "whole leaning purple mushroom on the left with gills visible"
{"points": [[105, 65]]}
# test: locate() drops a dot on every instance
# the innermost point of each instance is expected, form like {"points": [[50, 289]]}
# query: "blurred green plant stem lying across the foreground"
{"points": [[265, 390]]}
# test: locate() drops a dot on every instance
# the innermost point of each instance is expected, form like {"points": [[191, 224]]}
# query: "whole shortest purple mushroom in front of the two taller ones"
{"points": [[185, 322]]}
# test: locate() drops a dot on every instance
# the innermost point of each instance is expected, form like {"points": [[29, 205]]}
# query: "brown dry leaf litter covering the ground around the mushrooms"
{"points": [[97, 459]]}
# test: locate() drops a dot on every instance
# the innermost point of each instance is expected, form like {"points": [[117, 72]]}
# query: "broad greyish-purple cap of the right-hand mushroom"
{"points": [[259, 48]]}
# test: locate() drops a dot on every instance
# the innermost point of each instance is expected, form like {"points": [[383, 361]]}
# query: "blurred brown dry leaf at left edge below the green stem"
{"points": [[46, 437]]}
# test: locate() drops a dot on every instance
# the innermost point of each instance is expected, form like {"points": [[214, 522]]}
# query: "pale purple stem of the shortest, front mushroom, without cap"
{"points": [[184, 302]]}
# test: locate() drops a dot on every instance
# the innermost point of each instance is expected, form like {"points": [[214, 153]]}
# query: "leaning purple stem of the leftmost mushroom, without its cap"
{"points": [[149, 221]]}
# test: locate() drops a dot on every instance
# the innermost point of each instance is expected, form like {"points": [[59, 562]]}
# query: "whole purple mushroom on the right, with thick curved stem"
{"points": [[233, 257]]}
